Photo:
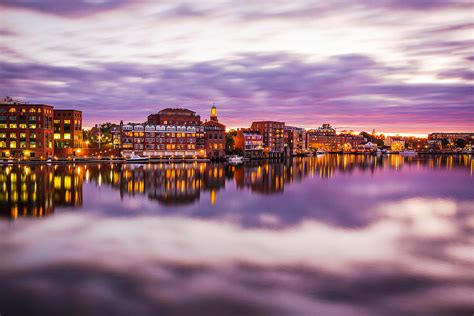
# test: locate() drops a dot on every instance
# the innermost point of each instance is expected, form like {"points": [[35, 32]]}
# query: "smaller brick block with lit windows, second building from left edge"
{"points": [[67, 129]]}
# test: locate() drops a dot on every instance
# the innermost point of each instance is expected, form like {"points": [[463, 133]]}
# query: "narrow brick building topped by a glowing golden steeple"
{"points": [[214, 137]]}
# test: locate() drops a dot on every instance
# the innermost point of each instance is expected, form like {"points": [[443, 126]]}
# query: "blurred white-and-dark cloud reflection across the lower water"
{"points": [[180, 261]]}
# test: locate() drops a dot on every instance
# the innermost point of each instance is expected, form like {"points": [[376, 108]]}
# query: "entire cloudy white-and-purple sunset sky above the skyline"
{"points": [[393, 66]]}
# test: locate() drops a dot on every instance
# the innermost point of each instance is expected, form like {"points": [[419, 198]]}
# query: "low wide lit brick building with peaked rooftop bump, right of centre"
{"points": [[325, 138]]}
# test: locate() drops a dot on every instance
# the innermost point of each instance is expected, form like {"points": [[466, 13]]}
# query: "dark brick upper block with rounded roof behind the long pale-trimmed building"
{"points": [[178, 117]]}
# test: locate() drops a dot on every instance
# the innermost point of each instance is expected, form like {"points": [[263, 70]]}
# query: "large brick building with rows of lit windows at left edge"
{"points": [[26, 130]]}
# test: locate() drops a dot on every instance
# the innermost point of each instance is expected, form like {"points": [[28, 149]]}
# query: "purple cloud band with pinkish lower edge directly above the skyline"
{"points": [[347, 90]]}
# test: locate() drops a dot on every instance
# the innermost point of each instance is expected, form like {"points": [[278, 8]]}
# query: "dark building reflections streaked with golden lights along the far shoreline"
{"points": [[37, 190]]}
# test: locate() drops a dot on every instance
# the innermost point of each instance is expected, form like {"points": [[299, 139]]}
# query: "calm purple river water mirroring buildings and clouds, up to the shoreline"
{"points": [[330, 235]]}
